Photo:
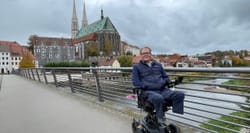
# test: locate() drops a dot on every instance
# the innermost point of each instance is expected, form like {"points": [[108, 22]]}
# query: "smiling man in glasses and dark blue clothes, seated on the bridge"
{"points": [[150, 77]]}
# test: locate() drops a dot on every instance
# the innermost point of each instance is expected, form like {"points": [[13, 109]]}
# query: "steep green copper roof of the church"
{"points": [[103, 24]]}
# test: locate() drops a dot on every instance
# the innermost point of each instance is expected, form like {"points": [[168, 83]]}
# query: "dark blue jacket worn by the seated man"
{"points": [[149, 78]]}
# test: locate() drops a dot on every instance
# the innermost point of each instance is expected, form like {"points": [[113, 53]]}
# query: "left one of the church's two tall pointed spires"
{"points": [[74, 23]]}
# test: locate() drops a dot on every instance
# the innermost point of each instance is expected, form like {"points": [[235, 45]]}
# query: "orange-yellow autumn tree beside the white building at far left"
{"points": [[26, 61]]}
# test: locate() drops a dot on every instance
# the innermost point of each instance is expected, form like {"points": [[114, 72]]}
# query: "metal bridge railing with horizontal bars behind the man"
{"points": [[210, 104]]}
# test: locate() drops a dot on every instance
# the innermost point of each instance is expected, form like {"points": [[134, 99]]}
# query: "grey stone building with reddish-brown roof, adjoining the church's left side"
{"points": [[47, 49]]}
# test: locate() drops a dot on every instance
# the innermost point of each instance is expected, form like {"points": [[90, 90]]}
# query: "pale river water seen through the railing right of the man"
{"points": [[207, 101]]}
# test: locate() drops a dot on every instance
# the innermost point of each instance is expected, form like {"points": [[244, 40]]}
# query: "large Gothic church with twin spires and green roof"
{"points": [[99, 38]]}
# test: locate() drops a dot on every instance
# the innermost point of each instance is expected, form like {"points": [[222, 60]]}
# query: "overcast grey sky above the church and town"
{"points": [[167, 26]]}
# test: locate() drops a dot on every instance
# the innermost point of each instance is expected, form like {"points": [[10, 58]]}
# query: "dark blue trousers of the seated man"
{"points": [[157, 98]]}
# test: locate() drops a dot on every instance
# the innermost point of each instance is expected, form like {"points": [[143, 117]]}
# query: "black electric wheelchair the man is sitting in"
{"points": [[150, 123]]}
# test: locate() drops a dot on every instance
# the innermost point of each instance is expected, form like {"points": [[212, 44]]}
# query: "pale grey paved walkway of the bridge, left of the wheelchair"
{"points": [[31, 107]]}
